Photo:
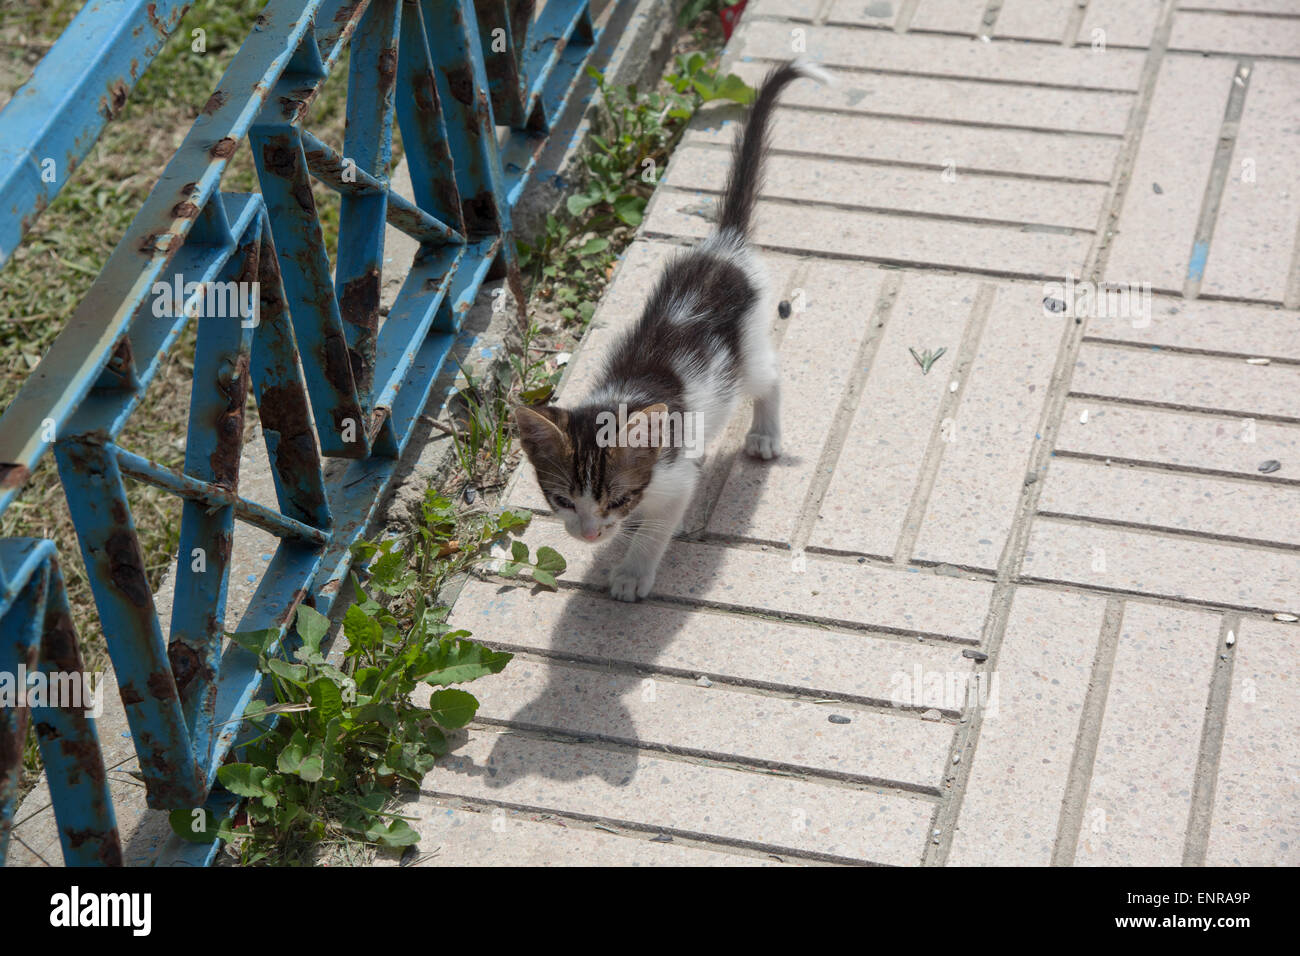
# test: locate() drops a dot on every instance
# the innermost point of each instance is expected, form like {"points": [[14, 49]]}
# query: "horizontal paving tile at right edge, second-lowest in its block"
{"points": [[1169, 500]]}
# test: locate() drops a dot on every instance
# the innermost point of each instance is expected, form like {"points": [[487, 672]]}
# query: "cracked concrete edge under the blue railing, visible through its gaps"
{"points": [[638, 42]]}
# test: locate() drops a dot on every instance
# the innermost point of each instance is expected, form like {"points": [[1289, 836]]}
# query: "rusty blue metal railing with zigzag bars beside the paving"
{"points": [[330, 379]]}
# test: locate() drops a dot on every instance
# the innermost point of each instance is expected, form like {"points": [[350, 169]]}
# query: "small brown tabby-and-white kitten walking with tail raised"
{"points": [[631, 452]]}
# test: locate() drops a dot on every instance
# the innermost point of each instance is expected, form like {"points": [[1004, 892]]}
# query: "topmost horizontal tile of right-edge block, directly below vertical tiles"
{"points": [[1207, 326]]}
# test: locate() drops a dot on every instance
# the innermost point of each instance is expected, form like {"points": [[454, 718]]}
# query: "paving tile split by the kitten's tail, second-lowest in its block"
{"points": [[898, 189]]}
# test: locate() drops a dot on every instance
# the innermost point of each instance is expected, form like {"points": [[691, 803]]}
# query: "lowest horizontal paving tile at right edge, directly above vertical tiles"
{"points": [[1164, 566]]}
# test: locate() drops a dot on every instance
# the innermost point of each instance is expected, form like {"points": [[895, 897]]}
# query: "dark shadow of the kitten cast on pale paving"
{"points": [[600, 707]]}
